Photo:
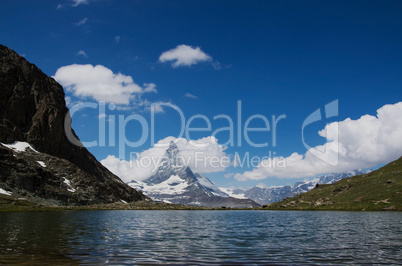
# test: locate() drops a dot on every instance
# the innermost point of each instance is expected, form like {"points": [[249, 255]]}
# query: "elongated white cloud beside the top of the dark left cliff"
{"points": [[100, 83]]}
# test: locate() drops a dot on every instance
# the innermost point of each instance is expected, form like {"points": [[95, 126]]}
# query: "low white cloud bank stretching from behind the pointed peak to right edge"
{"points": [[362, 143]]}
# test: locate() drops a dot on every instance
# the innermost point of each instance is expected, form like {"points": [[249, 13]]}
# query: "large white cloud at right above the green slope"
{"points": [[362, 143]]}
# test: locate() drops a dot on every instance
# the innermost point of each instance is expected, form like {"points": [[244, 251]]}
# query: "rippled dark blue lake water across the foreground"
{"points": [[227, 237]]}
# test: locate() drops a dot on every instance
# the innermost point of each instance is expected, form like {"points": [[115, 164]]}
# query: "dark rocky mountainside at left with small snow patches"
{"points": [[32, 114]]}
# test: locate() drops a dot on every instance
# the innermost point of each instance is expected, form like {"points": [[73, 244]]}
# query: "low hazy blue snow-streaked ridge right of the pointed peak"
{"points": [[266, 195]]}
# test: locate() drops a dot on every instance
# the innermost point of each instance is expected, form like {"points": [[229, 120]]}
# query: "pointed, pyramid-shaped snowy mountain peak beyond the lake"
{"points": [[174, 182]]}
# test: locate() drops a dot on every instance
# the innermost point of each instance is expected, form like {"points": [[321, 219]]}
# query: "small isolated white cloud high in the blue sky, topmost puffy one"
{"points": [[184, 55]]}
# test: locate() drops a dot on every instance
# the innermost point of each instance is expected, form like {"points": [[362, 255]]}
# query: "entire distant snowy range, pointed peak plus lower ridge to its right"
{"points": [[174, 182]]}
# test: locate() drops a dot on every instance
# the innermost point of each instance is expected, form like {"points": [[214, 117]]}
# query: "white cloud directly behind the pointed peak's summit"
{"points": [[204, 155]]}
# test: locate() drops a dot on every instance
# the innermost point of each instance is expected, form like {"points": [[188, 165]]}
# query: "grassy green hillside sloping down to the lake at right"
{"points": [[378, 190]]}
